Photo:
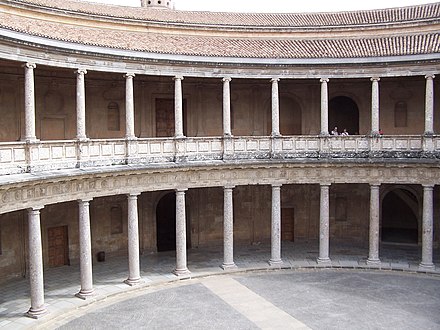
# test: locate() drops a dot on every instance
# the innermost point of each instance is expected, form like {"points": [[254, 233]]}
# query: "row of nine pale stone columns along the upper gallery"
{"points": [[30, 134]]}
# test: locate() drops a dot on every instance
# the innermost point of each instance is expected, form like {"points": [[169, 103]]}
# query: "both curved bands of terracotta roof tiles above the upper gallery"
{"points": [[207, 44]]}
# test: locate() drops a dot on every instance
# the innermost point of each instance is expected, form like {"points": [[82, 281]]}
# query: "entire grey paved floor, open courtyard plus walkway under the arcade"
{"points": [[348, 293]]}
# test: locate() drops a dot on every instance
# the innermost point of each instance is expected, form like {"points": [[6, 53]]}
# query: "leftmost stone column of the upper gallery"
{"points": [[29, 102]]}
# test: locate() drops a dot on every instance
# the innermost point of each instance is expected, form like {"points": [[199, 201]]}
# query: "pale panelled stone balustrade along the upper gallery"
{"points": [[21, 157]]}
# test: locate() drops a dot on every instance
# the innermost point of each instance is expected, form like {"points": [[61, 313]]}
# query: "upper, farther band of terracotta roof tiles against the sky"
{"points": [[380, 16]]}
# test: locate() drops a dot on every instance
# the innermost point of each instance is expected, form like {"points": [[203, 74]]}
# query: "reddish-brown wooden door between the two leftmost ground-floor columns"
{"points": [[58, 246]]}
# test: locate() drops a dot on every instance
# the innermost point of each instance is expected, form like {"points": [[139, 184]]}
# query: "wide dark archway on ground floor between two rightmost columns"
{"points": [[399, 219]]}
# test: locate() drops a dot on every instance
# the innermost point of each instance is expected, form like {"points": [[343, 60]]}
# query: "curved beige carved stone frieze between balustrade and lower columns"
{"points": [[93, 184]]}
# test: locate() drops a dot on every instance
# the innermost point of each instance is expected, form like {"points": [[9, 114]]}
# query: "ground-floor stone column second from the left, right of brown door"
{"points": [[85, 250]]}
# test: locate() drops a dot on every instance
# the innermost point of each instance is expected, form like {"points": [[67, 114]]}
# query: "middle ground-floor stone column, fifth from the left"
{"points": [[228, 228]]}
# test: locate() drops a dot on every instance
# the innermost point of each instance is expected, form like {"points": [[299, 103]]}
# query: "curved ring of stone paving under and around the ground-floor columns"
{"points": [[62, 283]]}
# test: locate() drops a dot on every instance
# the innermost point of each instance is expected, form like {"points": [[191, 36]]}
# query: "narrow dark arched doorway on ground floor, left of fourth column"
{"points": [[166, 223]]}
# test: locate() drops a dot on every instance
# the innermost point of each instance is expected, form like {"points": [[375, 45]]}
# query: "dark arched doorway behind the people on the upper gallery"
{"points": [[343, 113]]}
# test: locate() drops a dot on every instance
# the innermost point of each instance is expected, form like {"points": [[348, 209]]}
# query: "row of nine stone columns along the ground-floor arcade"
{"points": [[35, 244]]}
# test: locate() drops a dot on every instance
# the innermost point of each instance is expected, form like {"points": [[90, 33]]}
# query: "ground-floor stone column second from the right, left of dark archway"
{"points": [[373, 257]]}
